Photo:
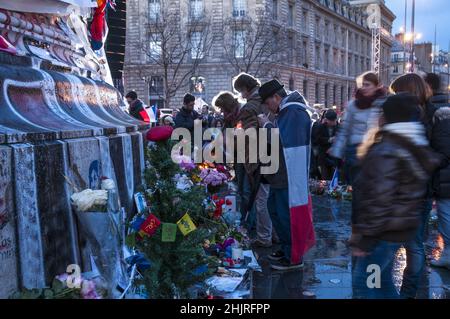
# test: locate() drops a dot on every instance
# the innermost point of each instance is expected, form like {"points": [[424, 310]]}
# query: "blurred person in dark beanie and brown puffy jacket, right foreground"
{"points": [[395, 169]]}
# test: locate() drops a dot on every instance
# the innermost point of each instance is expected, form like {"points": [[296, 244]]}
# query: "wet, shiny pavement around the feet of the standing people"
{"points": [[327, 271]]}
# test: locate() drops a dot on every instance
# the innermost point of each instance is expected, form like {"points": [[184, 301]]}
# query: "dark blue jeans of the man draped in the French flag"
{"points": [[278, 206]]}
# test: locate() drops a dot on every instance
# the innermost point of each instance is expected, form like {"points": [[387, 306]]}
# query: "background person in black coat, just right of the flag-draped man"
{"points": [[323, 137]]}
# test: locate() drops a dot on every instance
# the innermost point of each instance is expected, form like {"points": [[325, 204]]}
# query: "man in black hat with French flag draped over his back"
{"points": [[289, 200]]}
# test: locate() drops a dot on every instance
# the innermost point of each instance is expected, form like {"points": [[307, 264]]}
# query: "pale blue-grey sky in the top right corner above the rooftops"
{"points": [[428, 14]]}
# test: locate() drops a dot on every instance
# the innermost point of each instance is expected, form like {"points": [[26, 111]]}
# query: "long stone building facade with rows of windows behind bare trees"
{"points": [[327, 45]]}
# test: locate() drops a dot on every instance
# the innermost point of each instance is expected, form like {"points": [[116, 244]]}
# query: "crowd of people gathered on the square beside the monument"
{"points": [[393, 145]]}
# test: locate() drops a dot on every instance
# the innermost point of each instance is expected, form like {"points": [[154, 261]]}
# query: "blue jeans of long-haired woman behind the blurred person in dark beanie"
{"points": [[415, 256]]}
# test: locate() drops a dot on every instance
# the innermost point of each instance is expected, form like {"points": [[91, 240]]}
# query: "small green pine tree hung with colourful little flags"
{"points": [[175, 251]]}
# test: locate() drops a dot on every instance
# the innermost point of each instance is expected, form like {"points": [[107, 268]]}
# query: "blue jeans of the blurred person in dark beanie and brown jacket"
{"points": [[383, 255]]}
